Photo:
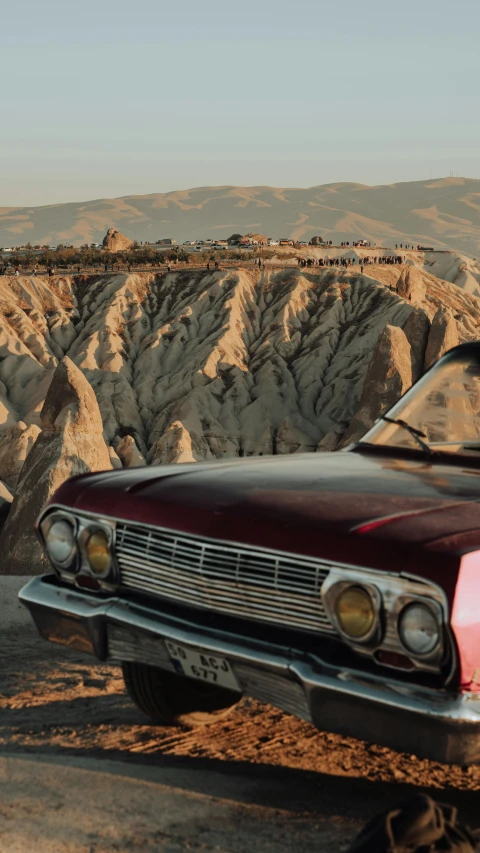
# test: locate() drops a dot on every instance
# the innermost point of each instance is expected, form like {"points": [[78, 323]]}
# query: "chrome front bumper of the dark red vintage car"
{"points": [[430, 723]]}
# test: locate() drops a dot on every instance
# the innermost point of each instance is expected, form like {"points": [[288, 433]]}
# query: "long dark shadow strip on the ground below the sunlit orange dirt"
{"points": [[287, 789]]}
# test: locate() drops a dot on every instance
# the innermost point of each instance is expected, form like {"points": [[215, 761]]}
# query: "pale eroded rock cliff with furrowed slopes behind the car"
{"points": [[199, 365]]}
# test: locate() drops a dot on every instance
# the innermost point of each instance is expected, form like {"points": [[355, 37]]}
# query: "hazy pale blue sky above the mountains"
{"points": [[108, 97]]}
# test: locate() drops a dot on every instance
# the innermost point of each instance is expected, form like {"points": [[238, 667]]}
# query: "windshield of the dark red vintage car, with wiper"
{"points": [[441, 411]]}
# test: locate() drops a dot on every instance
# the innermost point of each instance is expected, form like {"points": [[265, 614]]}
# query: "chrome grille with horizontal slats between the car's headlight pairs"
{"points": [[265, 586]]}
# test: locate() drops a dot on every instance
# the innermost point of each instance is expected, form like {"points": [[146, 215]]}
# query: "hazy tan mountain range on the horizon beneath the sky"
{"points": [[443, 213]]}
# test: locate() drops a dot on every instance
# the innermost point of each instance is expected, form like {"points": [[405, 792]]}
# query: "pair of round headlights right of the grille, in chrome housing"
{"points": [[372, 616]]}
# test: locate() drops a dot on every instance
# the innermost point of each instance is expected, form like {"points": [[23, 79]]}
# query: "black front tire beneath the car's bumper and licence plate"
{"points": [[174, 700]]}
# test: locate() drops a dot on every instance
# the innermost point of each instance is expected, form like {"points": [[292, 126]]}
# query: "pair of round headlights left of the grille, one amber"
{"points": [[78, 547]]}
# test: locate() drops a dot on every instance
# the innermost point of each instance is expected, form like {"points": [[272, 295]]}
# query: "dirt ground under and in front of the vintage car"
{"points": [[259, 778]]}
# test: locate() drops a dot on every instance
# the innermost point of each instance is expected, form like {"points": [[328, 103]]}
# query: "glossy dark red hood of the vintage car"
{"points": [[354, 507]]}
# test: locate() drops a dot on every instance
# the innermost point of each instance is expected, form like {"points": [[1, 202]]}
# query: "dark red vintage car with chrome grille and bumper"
{"points": [[341, 587]]}
